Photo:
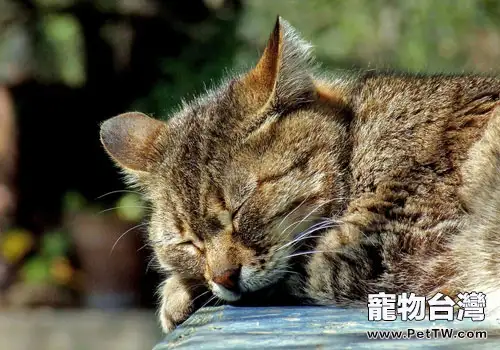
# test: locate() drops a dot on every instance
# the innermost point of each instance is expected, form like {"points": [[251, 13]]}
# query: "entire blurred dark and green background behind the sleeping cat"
{"points": [[69, 234]]}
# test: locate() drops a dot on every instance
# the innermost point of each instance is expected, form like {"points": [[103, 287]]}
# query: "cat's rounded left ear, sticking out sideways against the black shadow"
{"points": [[131, 140]]}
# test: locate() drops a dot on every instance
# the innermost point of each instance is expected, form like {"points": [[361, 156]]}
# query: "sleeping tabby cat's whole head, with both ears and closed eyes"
{"points": [[238, 174]]}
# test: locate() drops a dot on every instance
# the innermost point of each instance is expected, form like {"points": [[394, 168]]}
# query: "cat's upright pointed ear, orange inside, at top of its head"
{"points": [[282, 77]]}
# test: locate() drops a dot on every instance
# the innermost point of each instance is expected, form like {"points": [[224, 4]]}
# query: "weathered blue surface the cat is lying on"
{"points": [[229, 327]]}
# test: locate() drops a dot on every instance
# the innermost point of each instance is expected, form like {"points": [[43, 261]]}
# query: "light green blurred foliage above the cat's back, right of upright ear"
{"points": [[426, 35]]}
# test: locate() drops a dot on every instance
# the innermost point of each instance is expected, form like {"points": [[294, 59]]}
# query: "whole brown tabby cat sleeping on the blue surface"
{"points": [[287, 185]]}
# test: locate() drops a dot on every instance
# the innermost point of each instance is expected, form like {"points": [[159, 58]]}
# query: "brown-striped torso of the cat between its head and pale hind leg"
{"points": [[412, 137]]}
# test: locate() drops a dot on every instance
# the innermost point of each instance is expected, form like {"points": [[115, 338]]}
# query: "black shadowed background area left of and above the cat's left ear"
{"points": [[58, 124]]}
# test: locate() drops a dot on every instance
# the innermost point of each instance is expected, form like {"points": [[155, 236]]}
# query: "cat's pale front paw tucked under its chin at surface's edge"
{"points": [[176, 303]]}
